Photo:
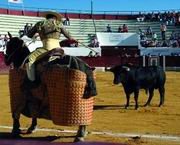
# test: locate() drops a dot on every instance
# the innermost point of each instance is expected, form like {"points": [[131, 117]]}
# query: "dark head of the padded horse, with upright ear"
{"points": [[16, 51]]}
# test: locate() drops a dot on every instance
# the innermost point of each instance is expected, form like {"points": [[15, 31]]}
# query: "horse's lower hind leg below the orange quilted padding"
{"points": [[81, 133]]}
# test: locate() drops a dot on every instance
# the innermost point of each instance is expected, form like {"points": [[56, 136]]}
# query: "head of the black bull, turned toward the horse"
{"points": [[120, 73]]}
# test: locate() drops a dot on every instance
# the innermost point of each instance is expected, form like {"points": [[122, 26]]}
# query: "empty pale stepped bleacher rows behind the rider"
{"points": [[81, 29]]}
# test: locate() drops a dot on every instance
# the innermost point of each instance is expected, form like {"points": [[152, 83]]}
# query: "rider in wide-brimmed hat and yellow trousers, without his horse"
{"points": [[49, 31]]}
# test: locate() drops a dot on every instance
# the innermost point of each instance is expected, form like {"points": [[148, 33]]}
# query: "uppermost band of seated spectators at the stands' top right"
{"points": [[169, 18]]}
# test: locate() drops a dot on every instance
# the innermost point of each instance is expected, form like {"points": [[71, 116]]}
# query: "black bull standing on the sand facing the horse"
{"points": [[135, 78]]}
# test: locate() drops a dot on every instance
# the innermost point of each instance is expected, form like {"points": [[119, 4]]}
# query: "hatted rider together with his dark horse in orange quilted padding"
{"points": [[56, 87]]}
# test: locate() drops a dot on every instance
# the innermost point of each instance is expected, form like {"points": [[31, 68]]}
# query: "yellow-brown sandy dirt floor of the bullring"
{"points": [[110, 115]]}
